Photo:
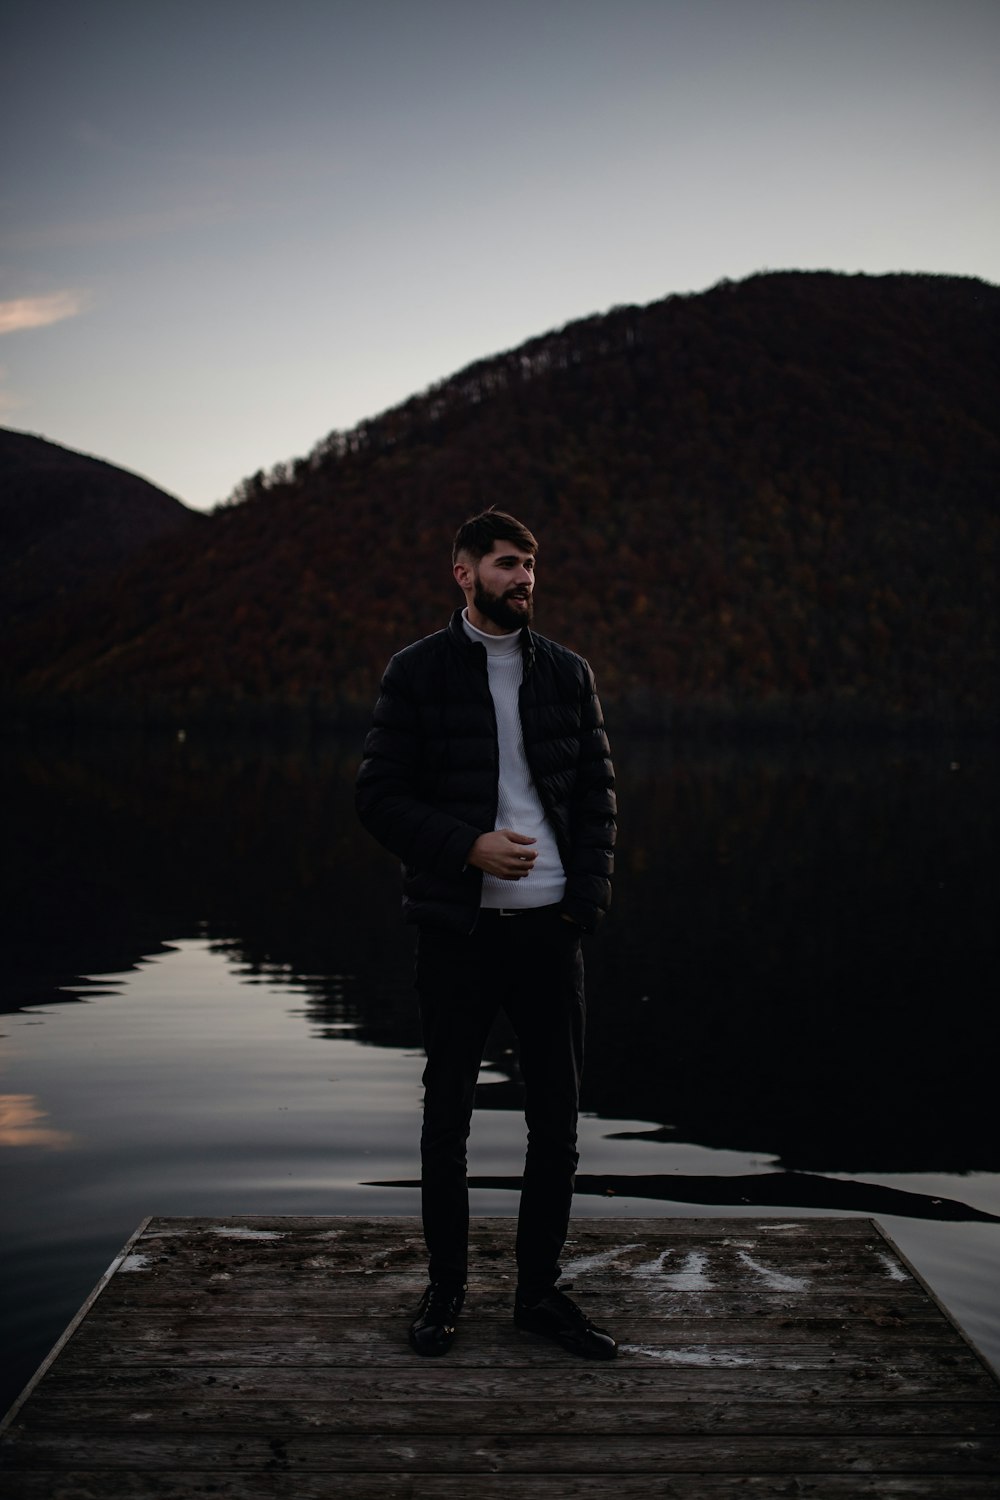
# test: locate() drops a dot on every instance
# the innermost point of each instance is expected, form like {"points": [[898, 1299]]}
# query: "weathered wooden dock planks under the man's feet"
{"points": [[268, 1358]]}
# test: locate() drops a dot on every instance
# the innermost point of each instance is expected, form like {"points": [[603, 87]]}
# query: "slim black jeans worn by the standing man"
{"points": [[531, 968]]}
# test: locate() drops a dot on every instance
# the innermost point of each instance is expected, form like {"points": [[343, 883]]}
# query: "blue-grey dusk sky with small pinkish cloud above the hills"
{"points": [[229, 229]]}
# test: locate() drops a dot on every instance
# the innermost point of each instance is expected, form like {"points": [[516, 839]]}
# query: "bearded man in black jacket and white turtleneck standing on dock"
{"points": [[488, 773]]}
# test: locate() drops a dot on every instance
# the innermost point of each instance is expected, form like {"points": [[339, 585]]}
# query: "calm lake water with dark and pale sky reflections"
{"points": [[209, 1009]]}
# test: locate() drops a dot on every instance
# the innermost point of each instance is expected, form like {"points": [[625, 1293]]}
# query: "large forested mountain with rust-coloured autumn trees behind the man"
{"points": [[773, 500]]}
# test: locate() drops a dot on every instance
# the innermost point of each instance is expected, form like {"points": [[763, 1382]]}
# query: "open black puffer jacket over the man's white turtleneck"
{"points": [[428, 782]]}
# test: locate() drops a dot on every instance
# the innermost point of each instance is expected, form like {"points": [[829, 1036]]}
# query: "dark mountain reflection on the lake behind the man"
{"points": [[797, 964]]}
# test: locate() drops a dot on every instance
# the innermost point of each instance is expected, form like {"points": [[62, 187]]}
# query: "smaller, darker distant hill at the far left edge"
{"points": [[67, 521]]}
